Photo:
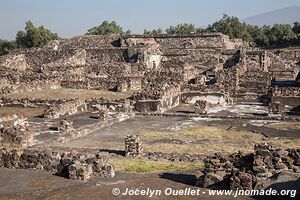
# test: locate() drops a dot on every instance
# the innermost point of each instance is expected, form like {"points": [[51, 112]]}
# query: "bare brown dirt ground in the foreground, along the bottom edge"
{"points": [[31, 185]]}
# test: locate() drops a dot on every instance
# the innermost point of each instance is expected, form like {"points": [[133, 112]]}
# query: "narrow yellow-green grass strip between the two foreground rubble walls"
{"points": [[142, 166]]}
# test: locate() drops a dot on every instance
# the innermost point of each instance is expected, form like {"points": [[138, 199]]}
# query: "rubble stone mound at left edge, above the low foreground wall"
{"points": [[14, 131]]}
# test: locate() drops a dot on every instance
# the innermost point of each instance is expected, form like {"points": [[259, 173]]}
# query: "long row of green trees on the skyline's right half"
{"points": [[276, 36]]}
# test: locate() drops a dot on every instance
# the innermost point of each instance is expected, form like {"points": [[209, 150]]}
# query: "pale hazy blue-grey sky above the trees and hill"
{"points": [[75, 17]]}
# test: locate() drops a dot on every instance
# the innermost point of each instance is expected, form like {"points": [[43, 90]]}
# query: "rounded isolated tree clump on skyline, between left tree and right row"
{"points": [[106, 28]]}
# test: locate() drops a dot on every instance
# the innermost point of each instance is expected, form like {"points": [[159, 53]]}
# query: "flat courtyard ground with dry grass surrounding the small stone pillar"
{"points": [[191, 135]]}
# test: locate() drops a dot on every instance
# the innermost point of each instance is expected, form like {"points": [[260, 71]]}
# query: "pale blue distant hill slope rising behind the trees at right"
{"points": [[282, 16]]}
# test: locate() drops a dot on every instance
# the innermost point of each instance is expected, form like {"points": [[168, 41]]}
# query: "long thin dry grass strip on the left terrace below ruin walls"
{"points": [[66, 93]]}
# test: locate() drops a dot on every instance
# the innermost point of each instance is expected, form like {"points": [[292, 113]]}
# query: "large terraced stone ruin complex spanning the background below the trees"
{"points": [[160, 69]]}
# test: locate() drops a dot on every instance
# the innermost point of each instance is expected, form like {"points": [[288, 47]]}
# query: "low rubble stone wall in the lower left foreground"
{"points": [[71, 165]]}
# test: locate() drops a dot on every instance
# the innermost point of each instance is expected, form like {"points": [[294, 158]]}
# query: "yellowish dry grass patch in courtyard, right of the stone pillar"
{"points": [[206, 140]]}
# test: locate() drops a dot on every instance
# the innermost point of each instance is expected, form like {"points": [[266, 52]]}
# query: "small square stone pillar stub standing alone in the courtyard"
{"points": [[133, 146]]}
